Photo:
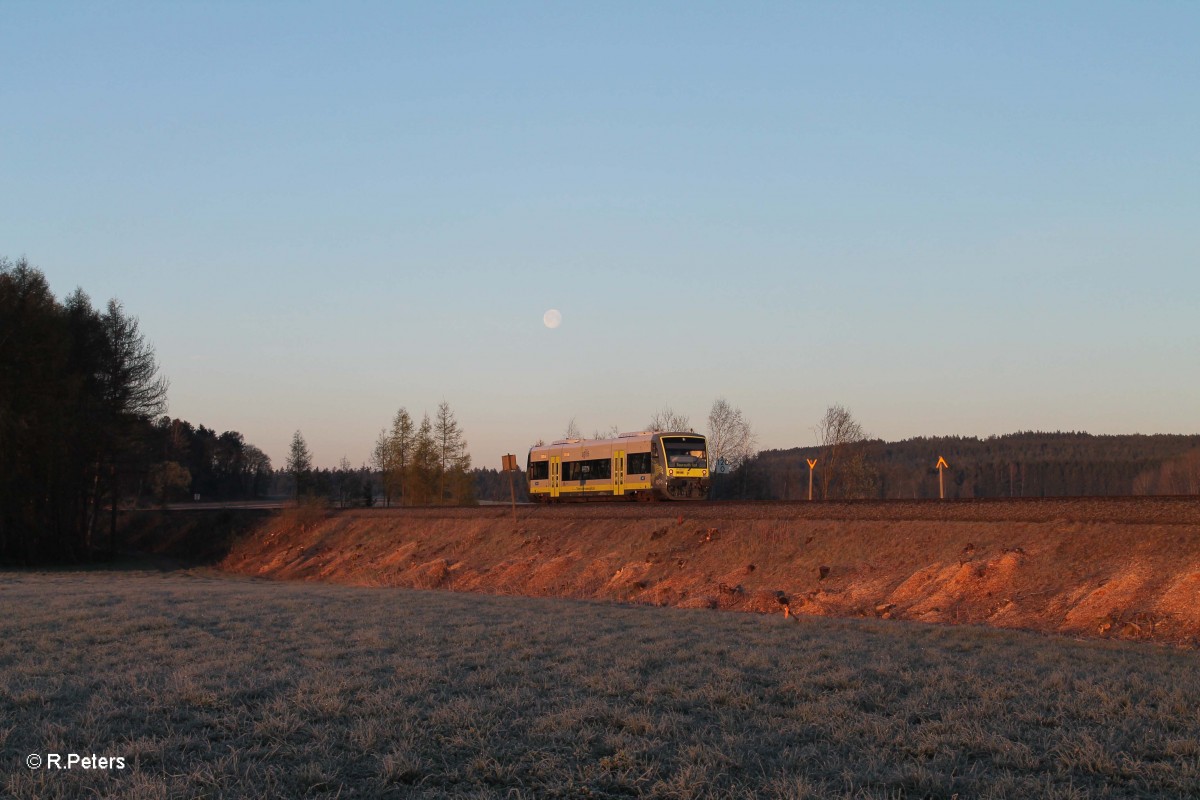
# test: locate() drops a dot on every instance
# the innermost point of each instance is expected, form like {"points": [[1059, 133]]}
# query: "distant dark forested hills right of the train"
{"points": [[1030, 465]]}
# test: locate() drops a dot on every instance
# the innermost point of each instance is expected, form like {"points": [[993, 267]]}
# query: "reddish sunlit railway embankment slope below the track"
{"points": [[1125, 568]]}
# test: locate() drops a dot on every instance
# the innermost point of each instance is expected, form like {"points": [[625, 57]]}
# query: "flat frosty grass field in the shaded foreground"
{"points": [[212, 685]]}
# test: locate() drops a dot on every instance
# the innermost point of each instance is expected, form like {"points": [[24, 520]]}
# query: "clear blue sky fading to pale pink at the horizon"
{"points": [[952, 219]]}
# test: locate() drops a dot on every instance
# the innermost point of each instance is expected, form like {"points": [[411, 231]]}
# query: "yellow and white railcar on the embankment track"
{"points": [[644, 466]]}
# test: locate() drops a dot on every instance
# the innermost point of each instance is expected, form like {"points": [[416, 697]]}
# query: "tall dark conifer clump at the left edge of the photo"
{"points": [[77, 384]]}
